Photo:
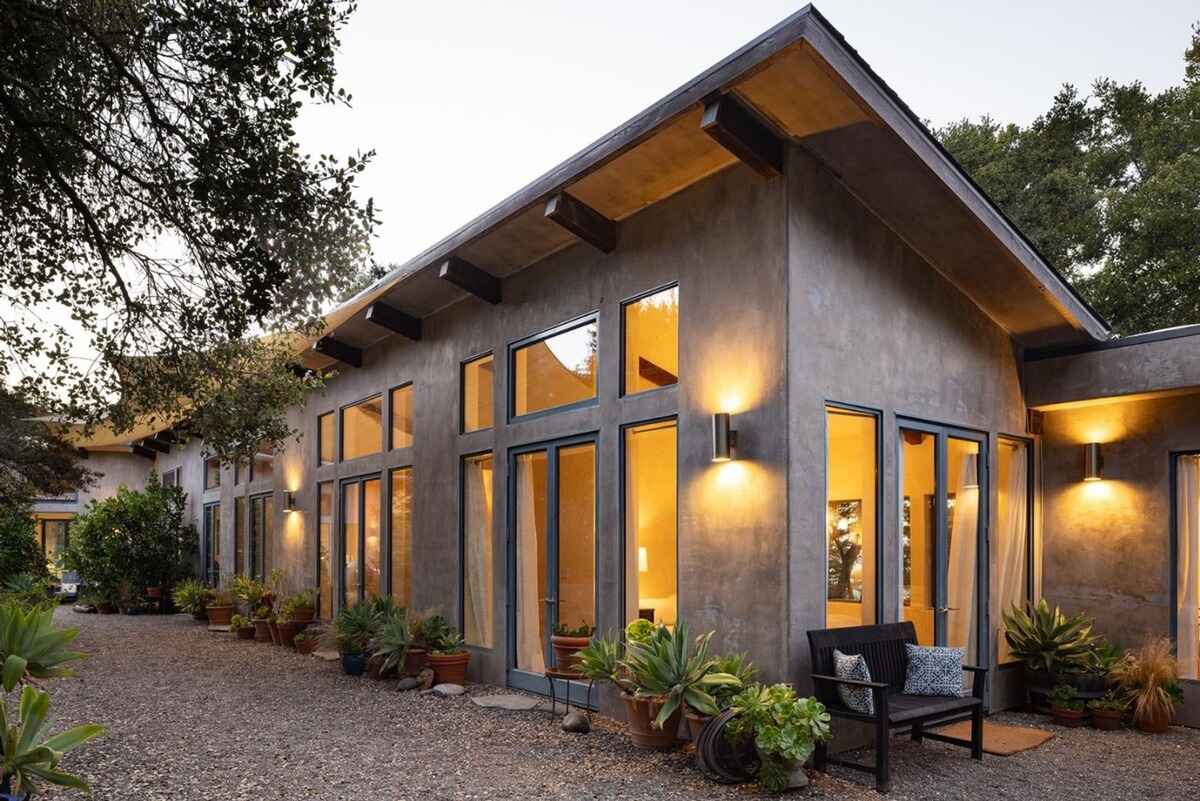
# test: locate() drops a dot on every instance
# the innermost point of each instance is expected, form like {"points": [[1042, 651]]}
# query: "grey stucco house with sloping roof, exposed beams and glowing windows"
{"points": [[764, 358]]}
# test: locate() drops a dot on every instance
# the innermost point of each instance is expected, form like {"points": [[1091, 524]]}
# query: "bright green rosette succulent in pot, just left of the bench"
{"points": [[785, 730]]}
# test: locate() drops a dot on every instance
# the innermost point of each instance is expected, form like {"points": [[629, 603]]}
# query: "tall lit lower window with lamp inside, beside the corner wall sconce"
{"points": [[651, 523]]}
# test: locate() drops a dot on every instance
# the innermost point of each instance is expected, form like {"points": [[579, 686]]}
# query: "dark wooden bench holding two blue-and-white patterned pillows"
{"points": [[884, 648]]}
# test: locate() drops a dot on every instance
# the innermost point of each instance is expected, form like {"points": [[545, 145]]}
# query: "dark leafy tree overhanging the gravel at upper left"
{"points": [[157, 207]]}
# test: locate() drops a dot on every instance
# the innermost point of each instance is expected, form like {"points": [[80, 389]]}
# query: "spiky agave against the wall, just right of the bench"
{"points": [[1047, 640]]}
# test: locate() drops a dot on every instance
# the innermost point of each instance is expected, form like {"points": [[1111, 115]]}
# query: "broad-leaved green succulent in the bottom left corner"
{"points": [[27, 757]]}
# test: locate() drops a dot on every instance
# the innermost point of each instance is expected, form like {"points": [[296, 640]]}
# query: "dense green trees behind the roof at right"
{"points": [[1108, 189]]}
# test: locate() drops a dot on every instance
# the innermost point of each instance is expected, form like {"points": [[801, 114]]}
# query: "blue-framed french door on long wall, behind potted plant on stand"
{"points": [[553, 551]]}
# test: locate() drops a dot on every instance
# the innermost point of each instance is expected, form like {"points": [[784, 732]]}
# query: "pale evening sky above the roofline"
{"points": [[466, 103]]}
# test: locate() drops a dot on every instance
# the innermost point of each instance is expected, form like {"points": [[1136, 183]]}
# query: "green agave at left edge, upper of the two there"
{"points": [[31, 646]]}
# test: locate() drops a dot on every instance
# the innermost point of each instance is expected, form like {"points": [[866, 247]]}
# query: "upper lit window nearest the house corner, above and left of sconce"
{"points": [[652, 342]]}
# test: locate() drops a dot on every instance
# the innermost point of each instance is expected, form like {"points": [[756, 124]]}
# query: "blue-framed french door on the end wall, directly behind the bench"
{"points": [[944, 550]]}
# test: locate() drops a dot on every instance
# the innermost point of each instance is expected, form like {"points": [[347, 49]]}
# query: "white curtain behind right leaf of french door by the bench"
{"points": [[962, 569]]}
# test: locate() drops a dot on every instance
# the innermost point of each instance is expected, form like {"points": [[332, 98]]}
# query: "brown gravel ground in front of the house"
{"points": [[194, 716]]}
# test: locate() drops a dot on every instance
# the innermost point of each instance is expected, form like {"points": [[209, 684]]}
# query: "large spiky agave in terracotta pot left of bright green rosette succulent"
{"points": [[668, 668]]}
